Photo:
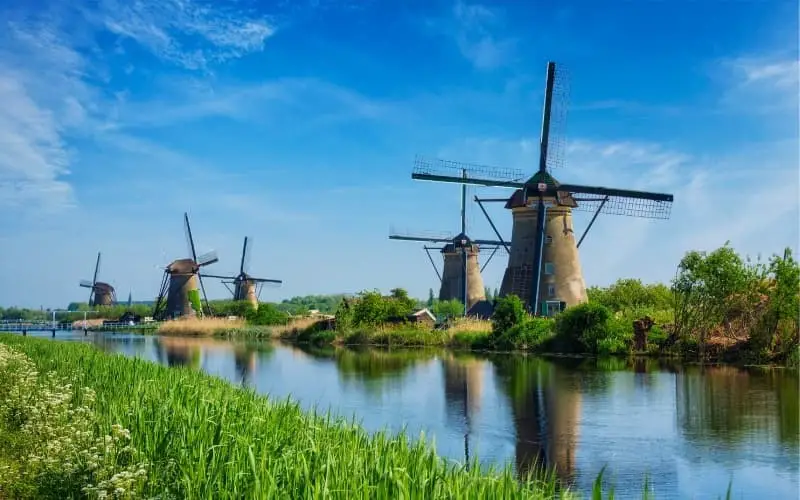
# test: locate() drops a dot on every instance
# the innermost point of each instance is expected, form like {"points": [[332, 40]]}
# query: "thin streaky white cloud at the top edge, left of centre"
{"points": [[184, 32]]}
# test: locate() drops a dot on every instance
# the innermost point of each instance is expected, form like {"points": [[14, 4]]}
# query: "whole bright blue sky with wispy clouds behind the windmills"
{"points": [[296, 123]]}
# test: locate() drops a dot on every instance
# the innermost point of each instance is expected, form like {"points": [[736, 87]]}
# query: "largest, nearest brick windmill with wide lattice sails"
{"points": [[544, 267]]}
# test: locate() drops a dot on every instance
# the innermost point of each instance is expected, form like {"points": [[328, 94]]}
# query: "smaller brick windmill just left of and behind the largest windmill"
{"points": [[461, 276]]}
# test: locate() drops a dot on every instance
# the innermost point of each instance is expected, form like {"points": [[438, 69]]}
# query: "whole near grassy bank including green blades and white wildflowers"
{"points": [[76, 421]]}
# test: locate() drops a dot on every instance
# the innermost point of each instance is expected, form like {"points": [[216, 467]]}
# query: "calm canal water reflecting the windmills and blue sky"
{"points": [[690, 429]]}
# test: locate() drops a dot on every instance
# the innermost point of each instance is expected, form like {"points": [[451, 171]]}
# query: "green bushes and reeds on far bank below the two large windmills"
{"points": [[719, 306]]}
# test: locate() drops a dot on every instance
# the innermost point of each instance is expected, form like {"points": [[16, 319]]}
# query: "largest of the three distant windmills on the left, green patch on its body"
{"points": [[178, 295]]}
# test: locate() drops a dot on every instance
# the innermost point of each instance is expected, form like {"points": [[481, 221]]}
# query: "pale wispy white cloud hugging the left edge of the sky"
{"points": [[34, 117]]}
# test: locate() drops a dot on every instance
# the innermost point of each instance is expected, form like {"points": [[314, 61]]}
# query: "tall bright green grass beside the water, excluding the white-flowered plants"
{"points": [[204, 438]]}
